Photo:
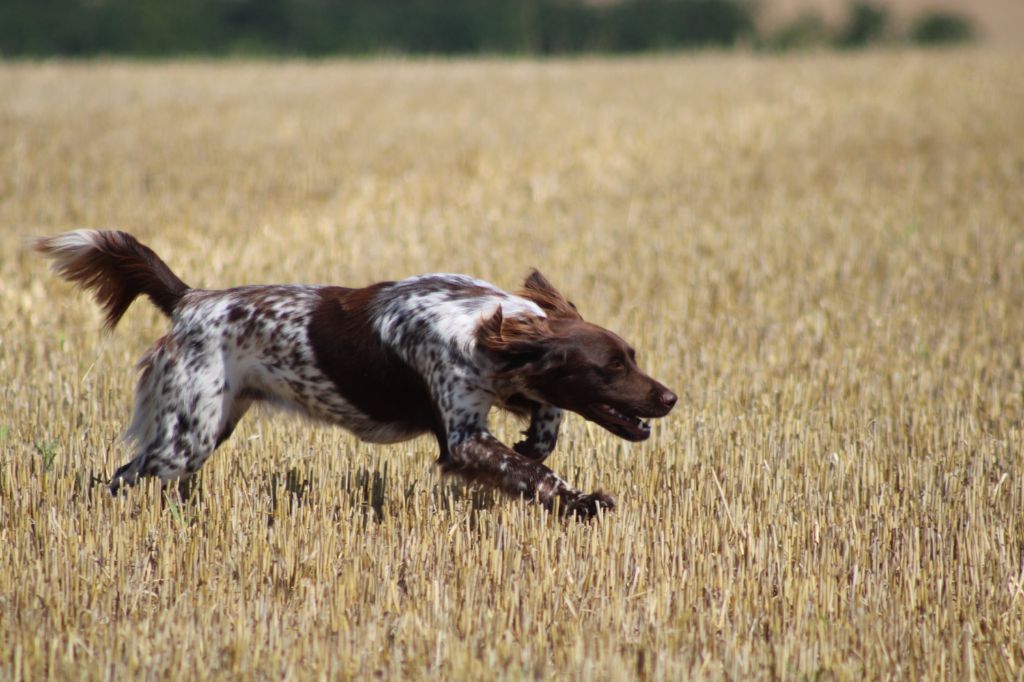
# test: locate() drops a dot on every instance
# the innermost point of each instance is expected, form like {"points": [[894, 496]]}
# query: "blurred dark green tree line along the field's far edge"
{"points": [[157, 28]]}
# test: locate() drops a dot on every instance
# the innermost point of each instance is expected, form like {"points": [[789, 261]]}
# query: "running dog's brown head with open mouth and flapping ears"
{"points": [[567, 362]]}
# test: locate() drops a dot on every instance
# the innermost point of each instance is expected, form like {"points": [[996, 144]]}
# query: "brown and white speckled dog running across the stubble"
{"points": [[390, 362]]}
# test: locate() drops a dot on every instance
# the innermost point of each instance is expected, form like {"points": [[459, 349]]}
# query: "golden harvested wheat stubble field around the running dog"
{"points": [[824, 255]]}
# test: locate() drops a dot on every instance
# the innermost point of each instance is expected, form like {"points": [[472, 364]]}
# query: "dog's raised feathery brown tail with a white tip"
{"points": [[116, 267]]}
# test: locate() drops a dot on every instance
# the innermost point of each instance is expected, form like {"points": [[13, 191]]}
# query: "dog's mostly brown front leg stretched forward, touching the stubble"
{"points": [[482, 458]]}
